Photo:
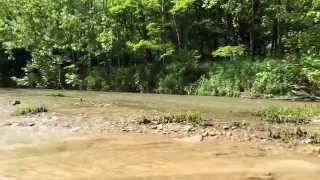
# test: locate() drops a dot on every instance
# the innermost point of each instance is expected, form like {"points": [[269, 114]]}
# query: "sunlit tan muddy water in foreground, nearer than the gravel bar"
{"points": [[152, 158]]}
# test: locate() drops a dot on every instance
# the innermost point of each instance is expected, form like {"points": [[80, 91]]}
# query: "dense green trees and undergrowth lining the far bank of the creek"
{"points": [[205, 47]]}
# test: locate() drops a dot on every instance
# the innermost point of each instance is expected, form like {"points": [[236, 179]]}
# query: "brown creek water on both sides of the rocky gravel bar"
{"points": [[28, 154]]}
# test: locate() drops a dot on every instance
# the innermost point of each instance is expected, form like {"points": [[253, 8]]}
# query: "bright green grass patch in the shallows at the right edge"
{"points": [[297, 115]]}
